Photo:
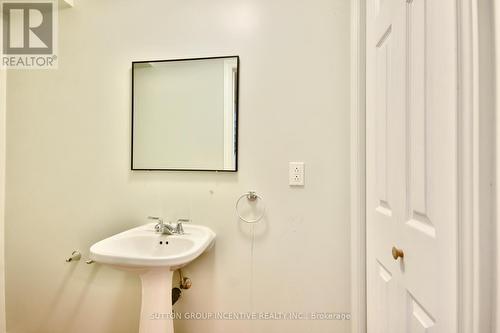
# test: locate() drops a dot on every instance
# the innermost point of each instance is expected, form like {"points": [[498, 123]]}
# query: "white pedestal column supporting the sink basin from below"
{"points": [[156, 309]]}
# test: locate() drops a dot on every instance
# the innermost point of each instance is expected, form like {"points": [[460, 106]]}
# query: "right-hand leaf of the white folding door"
{"points": [[429, 234]]}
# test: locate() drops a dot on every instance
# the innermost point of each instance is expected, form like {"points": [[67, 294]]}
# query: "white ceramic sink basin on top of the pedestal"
{"points": [[142, 247]]}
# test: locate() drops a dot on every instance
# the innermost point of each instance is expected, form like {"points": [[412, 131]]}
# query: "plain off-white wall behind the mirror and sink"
{"points": [[69, 183]]}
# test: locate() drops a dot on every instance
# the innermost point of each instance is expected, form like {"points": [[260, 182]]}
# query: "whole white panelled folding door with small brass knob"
{"points": [[412, 166]]}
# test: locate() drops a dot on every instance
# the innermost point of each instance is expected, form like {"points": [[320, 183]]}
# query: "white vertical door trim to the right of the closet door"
{"points": [[476, 166]]}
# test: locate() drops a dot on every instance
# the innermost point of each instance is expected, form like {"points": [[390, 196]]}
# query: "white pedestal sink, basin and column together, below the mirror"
{"points": [[154, 257]]}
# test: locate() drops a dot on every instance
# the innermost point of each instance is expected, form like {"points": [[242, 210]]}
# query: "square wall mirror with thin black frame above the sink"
{"points": [[184, 114]]}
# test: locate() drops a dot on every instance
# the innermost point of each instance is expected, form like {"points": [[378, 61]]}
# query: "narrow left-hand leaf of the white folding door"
{"points": [[385, 195]]}
